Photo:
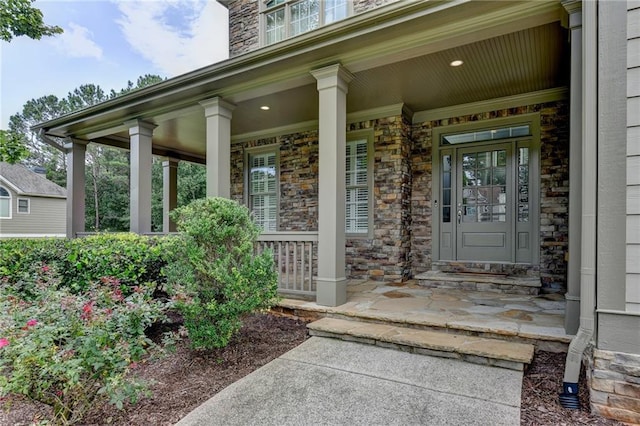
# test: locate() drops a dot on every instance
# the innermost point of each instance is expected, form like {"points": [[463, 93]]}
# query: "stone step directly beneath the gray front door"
{"points": [[480, 282]]}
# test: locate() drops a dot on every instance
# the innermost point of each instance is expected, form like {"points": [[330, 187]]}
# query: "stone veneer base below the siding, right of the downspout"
{"points": [[614, 379]]}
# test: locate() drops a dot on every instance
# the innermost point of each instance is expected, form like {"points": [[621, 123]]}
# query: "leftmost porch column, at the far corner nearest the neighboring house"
{"points": [[76, 153]]}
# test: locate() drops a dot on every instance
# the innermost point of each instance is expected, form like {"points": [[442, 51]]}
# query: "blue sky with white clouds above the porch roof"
{"points": [[108, 43]]}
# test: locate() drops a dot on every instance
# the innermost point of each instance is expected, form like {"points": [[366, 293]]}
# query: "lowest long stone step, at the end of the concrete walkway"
{"points": [[472, 349]]}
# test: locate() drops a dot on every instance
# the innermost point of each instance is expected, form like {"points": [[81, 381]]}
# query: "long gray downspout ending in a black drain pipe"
{"points": [[569, 397]]}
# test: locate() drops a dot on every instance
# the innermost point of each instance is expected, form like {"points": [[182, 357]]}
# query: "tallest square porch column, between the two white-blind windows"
{"points": [[332, 87]]}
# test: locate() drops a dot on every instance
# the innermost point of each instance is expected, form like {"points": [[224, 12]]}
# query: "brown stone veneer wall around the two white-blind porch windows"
{"points": [[386, 256]]}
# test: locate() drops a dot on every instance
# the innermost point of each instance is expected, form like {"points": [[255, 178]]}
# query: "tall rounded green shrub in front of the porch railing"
{"points": [[222, 276]]}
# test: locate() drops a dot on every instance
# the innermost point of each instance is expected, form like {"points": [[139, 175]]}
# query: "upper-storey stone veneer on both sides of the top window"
{"points": [[244, 23]]}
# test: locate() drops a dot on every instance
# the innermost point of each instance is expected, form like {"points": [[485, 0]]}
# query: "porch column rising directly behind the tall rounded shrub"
{"points": [[218, 114]]}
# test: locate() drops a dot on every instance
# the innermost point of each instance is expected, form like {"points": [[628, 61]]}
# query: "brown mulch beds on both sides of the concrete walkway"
{"points": [[186, 378]]}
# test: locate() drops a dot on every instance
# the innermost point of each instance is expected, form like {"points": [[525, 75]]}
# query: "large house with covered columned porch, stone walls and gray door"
{"points": [[402, 137]]}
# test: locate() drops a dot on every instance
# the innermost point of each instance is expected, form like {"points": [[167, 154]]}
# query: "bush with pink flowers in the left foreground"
{"points": [[72, 350]]}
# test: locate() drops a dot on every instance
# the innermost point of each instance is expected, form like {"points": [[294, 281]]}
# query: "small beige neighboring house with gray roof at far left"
{"points": [[30, 204]]}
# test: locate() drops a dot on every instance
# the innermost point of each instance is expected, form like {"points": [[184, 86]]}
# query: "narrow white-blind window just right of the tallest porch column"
{"points": [[358, 189]]}
